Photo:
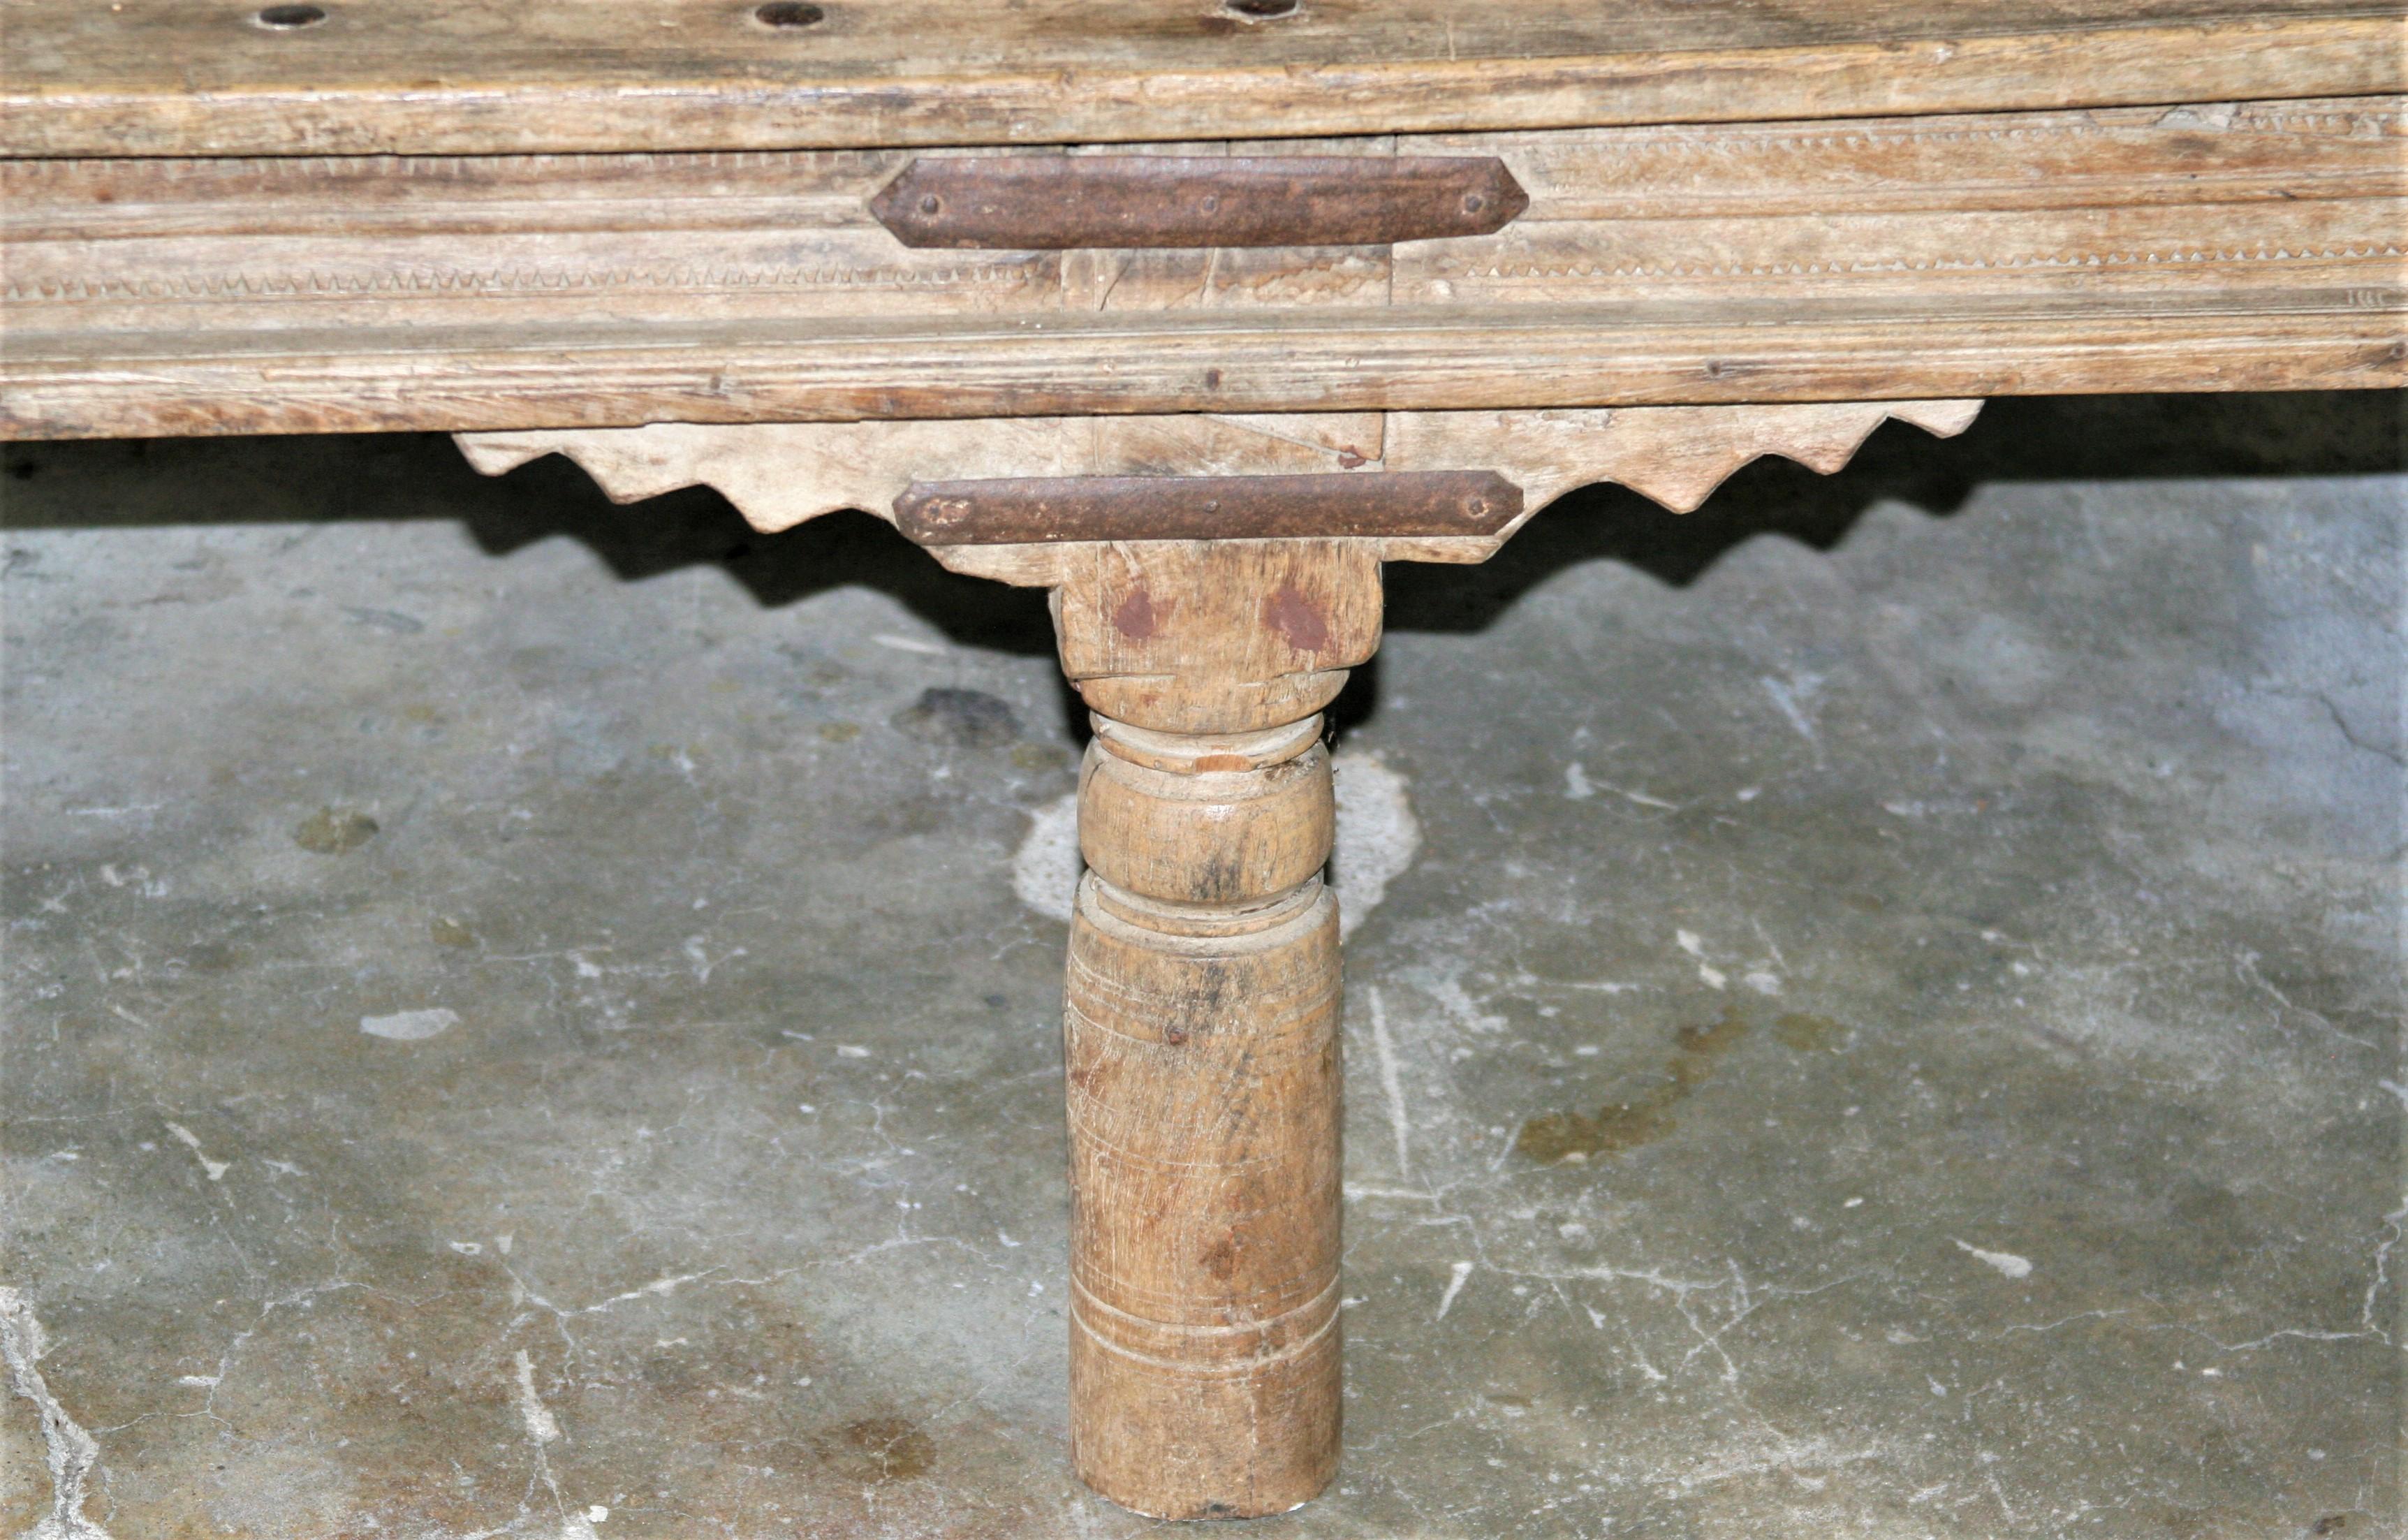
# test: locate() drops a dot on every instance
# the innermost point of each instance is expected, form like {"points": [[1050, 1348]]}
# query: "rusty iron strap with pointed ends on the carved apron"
{"points": [[1155, 201]]}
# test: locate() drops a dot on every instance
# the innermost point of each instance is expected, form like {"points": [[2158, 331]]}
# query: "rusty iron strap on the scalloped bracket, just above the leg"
{"points": [[1073, 509]]}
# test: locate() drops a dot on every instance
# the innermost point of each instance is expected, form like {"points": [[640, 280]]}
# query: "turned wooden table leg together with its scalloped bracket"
{"points": [[1203, 1026]]}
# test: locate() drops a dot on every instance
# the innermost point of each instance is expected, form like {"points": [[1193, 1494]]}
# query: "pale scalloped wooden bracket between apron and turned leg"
{"points": [[781, 475]]}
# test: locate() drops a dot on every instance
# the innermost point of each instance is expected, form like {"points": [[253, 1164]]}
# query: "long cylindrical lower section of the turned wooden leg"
{"points": [[1203, 1050]]}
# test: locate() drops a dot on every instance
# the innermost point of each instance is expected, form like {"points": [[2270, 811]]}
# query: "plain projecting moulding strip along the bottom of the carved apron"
{"points": [[719, 372]]}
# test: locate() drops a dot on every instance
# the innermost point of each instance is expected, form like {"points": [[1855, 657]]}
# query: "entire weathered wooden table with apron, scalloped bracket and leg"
{"points": [[1193, 312]]}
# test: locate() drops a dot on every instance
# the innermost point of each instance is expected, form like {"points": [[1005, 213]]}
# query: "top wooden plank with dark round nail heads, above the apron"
{"points": [[206, 78]]}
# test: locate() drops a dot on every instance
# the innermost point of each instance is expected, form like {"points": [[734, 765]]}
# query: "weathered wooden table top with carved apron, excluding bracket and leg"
{"points": [[1728, 203]]}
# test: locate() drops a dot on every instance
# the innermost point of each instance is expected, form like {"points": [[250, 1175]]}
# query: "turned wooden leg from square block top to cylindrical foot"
{"points": [[1203, 1021]]}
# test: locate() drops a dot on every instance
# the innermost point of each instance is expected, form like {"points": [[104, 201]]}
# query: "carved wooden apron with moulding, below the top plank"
{"points": [[2152, 249]]}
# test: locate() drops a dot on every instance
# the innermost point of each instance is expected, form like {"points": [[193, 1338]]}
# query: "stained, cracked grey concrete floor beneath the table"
{"points": [[519, 1024]]}
